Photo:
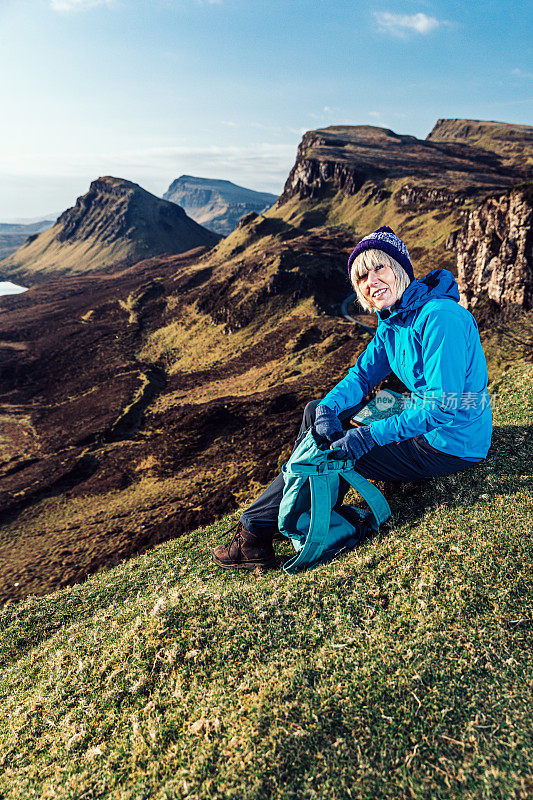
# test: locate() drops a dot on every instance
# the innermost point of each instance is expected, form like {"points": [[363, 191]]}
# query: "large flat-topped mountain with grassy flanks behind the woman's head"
{"points": [[361, 177]]}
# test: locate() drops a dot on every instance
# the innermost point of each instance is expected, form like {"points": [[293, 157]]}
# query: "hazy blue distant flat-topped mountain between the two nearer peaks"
{"points": [[216, 204]]}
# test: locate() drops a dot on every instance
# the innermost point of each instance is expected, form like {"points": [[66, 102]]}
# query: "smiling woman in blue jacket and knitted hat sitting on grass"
{"points": [[432, 344]]}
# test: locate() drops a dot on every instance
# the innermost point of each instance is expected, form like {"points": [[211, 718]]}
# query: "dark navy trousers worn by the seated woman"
{"points": [[411, 460]]}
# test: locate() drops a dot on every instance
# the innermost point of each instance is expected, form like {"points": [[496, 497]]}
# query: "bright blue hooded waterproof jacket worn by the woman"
{"points": [[432, 344]]}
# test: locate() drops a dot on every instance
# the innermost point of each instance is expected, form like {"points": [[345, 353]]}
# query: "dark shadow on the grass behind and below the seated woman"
{"points": [[506, 467]]}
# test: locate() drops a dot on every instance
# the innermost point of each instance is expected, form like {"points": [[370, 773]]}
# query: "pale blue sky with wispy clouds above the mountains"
{"points": [[151, 89]]}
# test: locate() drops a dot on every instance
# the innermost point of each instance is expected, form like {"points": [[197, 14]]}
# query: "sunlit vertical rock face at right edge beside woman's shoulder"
{"points": [[495, 250]]}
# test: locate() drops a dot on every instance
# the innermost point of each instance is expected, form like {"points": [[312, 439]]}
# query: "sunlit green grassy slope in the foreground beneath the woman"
{"points": [[403, 670]]}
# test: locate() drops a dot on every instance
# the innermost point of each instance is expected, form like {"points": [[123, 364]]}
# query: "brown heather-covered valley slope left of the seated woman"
{"points": [[147, 402]]}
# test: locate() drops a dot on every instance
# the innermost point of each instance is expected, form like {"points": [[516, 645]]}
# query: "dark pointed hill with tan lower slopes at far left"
{"points": [[115, 223]]}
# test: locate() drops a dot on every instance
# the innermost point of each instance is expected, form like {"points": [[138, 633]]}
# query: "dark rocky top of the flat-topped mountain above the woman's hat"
{"points": [[344, 158]]}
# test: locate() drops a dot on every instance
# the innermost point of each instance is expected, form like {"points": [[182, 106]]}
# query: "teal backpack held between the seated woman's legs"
{"points": [[317, 530]]}
